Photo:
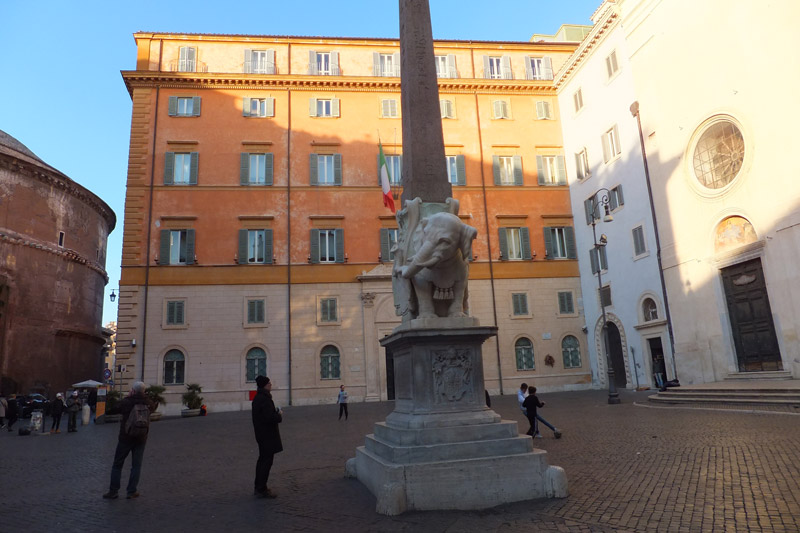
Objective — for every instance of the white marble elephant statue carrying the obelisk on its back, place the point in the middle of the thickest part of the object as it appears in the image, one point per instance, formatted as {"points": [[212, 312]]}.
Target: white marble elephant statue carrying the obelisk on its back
{"points": [[434, 259]]}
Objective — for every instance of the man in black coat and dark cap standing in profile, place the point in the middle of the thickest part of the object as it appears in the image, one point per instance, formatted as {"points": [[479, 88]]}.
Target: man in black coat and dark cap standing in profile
{"points": [[266, 418]]}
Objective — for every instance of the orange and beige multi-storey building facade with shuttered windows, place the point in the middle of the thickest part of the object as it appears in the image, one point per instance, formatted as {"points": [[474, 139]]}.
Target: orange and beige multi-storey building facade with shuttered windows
{"points": [[255, 235]]}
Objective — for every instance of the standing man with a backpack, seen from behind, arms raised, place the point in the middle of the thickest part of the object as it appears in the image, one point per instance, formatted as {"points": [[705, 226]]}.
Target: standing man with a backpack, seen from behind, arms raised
{"points": [[133, 429]]}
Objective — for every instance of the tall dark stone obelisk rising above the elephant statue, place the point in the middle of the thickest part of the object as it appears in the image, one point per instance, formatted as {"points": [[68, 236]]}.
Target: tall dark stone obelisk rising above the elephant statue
{"points": [[424, 167]]}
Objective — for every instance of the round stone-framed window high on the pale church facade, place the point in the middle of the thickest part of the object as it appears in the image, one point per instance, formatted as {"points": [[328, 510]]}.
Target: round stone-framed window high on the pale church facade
{"points": [[718, 154]]}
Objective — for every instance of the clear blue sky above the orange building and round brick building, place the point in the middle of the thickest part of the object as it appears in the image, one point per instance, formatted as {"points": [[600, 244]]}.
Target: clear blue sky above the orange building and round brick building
{"points": [[61, 93]]}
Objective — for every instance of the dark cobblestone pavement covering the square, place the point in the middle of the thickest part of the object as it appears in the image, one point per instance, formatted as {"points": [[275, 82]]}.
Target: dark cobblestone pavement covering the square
{"points": [[629, 469]]}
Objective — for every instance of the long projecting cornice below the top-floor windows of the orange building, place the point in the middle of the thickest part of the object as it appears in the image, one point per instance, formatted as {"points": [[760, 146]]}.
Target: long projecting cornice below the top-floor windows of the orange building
{"points": [[197, 80]]}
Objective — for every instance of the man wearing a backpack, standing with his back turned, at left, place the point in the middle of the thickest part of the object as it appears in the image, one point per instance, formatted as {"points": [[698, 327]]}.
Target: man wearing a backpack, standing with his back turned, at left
{"points": [[128, 444]]}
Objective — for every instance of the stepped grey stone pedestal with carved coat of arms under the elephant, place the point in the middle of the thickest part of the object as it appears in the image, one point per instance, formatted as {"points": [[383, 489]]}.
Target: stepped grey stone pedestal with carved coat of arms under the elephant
{"points": [[442, 448]]}
